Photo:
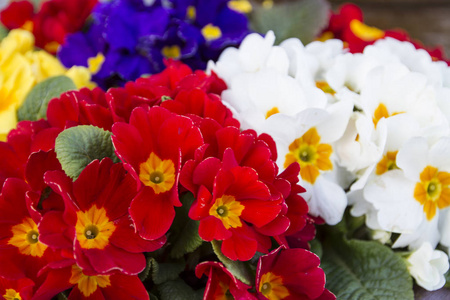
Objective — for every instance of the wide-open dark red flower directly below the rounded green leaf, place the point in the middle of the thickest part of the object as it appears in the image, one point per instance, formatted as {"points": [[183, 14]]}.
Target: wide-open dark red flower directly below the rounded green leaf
{"points": [[96, 219]]}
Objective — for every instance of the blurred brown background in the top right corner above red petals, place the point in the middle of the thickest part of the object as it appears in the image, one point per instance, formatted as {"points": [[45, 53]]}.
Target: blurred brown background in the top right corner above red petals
{"points": [[425, 20]]}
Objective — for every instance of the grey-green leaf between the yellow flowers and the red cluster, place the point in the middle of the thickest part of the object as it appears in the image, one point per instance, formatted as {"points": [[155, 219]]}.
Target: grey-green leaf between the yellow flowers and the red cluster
{"points": [[35, 105]]}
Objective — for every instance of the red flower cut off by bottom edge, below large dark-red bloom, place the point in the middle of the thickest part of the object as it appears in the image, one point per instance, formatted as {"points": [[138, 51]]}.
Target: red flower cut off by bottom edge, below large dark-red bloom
{"points": [[90, 285]]}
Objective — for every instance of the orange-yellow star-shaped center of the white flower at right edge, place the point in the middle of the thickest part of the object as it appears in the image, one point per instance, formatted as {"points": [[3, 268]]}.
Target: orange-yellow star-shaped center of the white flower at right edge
{"points": [[433, 190]]}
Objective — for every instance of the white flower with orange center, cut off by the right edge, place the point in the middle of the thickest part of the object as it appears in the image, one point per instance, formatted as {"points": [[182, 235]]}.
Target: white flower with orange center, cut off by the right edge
{"points": [[414, 199]]}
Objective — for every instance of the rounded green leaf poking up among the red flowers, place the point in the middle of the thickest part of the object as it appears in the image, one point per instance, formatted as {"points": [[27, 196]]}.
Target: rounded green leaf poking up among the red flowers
{"points": [[77, 146]]}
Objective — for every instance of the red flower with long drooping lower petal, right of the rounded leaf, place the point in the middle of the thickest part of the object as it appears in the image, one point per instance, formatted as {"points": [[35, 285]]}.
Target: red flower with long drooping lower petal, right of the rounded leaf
{"points": [[155, 144]]}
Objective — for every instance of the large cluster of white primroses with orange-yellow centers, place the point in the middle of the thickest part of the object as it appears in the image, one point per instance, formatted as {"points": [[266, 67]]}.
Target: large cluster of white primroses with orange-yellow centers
{"points": [[368, 129]]}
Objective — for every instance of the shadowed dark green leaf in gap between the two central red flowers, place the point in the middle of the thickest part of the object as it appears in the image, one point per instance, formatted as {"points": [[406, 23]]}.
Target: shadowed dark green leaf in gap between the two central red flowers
{"points": [[184, 236]]}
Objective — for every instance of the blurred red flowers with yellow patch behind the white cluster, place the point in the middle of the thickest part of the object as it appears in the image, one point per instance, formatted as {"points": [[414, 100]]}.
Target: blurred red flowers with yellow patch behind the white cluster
{"points": [[348, 25]]}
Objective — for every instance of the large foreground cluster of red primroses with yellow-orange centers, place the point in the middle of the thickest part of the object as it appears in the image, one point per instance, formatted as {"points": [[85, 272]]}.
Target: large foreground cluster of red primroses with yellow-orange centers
{"points": [[173, 136]]}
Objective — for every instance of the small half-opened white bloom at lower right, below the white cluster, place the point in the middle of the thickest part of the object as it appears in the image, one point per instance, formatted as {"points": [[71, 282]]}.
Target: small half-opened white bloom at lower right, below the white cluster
{"points": [[428, 266]]}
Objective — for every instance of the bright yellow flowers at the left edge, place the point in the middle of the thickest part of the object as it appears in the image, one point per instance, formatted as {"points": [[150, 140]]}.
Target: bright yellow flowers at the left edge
{"points": [[21, 67]]}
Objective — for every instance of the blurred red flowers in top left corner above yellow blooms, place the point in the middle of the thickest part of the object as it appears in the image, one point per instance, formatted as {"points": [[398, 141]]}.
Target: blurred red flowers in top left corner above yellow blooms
{"points": [[51, 23]]}
